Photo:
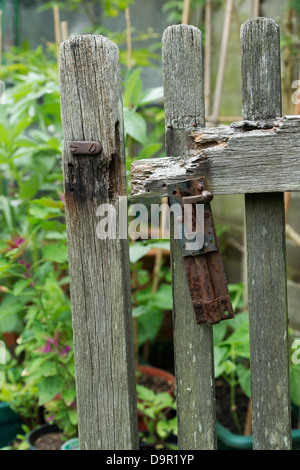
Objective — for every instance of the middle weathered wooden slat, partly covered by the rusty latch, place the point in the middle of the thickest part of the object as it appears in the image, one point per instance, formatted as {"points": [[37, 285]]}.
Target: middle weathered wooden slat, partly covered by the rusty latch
{"points": [[193, 344]]}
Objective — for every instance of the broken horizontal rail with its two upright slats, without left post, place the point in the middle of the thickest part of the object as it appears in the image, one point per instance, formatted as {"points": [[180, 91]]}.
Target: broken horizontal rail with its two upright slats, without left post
{"points": [[255, 156]]}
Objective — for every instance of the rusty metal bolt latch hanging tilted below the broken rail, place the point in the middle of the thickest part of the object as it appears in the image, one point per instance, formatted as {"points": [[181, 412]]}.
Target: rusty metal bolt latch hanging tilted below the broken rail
{"points": [[202, 261]]}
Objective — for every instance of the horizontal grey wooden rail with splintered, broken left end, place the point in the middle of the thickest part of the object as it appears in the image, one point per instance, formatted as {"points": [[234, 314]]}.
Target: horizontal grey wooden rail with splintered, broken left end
{"points": [[246, 157]]}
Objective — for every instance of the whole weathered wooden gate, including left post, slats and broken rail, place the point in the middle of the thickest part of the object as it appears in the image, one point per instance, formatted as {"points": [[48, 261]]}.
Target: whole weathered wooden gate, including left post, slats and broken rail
{"points": [[257, 157]]}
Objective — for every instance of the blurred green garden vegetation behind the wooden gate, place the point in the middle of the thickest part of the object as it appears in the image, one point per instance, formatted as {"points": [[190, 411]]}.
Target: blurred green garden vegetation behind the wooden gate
{"points": [[35, 310]]}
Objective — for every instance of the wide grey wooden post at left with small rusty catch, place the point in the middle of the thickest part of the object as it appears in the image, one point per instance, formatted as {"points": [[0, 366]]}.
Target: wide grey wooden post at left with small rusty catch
{"points": [[91, 104]]}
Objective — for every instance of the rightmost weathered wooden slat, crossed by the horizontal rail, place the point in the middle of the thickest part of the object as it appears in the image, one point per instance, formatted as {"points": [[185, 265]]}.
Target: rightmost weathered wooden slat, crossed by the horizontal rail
{"points": [[265, 229]]}
